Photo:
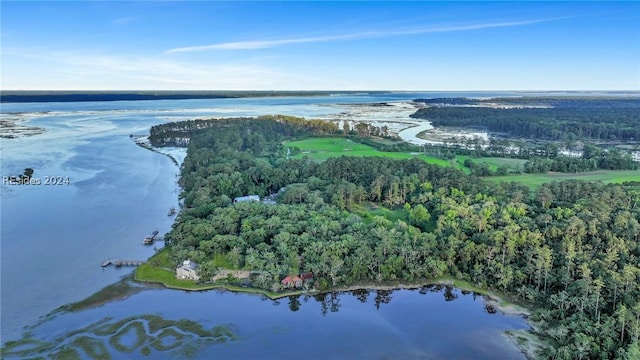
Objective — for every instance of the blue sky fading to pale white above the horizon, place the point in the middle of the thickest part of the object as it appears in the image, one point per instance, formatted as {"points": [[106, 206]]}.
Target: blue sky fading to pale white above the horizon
{"points": [[202, 45]]}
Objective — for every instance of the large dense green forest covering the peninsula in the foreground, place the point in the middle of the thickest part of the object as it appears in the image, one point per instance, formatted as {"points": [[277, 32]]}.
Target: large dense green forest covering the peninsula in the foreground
{"points": [[571, 249]]}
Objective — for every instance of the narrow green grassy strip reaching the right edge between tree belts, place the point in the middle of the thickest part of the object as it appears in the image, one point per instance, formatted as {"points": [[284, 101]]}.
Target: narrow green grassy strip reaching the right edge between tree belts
{"points": [[606, 176]]}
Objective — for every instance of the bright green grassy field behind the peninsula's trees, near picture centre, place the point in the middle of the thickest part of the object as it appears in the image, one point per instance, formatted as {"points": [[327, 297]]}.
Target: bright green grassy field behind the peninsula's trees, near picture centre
{"points": [[320, 149]]}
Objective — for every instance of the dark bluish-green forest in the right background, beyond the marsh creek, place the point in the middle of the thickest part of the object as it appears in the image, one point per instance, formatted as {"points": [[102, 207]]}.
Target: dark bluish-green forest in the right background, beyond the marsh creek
{"points": [[556, 119]]}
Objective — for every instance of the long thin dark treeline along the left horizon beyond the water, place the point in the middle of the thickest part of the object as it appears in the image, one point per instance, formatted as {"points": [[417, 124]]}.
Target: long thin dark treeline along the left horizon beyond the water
{"points": [[67, 96]]}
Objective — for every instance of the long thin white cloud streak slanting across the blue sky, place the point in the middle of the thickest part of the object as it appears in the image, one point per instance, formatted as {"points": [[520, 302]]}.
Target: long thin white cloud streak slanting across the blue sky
{"points": [[261, 44]]}
